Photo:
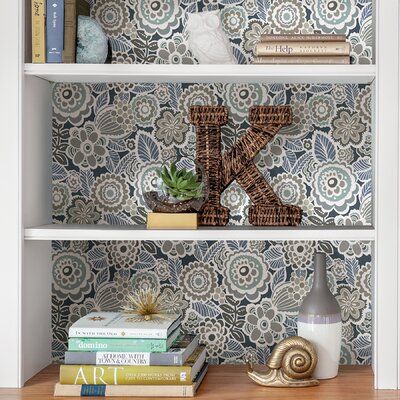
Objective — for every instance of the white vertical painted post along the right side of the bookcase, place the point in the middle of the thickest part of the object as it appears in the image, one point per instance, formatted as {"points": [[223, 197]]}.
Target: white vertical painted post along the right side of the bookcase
{"points": [[386, 325]]}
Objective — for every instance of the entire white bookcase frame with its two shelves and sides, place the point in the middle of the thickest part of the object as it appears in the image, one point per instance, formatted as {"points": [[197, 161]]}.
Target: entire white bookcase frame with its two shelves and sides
{"points": [[25, 245]]}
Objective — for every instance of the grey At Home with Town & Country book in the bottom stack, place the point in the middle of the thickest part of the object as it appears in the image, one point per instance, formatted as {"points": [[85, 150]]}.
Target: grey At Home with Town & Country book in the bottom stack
{"points": [[177, 355]]}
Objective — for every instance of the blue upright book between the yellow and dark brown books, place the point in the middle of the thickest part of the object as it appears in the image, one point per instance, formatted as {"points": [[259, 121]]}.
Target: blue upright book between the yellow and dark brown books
{"points": [[55, 30]]}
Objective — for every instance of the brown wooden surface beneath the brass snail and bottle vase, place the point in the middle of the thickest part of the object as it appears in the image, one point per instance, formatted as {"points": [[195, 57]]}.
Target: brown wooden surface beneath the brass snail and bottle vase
{"points": [[231, 383]]}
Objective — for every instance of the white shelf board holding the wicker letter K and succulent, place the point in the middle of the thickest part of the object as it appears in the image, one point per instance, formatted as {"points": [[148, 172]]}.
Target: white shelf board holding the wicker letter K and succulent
{"points": [[107, 232]]}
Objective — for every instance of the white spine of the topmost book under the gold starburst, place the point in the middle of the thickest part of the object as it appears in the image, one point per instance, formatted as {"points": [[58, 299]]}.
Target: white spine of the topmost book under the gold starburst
{"points": [[104, 332]]}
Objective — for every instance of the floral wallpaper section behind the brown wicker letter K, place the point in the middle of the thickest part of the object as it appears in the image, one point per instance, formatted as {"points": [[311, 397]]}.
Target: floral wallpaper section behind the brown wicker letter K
{"points": [[109, 139]]}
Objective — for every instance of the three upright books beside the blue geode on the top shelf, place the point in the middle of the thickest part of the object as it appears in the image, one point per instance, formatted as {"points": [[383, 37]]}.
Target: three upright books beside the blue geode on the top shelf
{"points": [[54, 28]]}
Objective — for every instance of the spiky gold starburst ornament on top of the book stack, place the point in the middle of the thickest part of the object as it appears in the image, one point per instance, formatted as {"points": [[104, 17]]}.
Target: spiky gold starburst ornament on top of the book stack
{"points": [[146, 305]]}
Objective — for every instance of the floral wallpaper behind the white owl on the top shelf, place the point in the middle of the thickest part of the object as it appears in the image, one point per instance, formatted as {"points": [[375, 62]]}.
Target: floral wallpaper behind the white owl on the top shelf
{"points": [[154, 31]]}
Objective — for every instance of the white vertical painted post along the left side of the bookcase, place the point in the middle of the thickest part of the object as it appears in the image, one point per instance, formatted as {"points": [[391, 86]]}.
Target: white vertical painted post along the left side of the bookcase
{"points": [[11, 230]]}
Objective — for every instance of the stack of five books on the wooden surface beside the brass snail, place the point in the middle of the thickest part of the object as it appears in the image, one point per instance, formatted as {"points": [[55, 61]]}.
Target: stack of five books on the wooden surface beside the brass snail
{"points": [[116, 354]]}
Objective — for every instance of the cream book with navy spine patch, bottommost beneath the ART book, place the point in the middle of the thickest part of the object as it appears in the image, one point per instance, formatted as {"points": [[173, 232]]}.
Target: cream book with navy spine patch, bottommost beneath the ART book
{"points": [[133, 390]]}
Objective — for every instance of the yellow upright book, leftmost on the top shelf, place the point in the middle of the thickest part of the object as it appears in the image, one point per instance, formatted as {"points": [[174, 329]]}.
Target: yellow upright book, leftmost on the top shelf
{"points": [[38, 31]]}
